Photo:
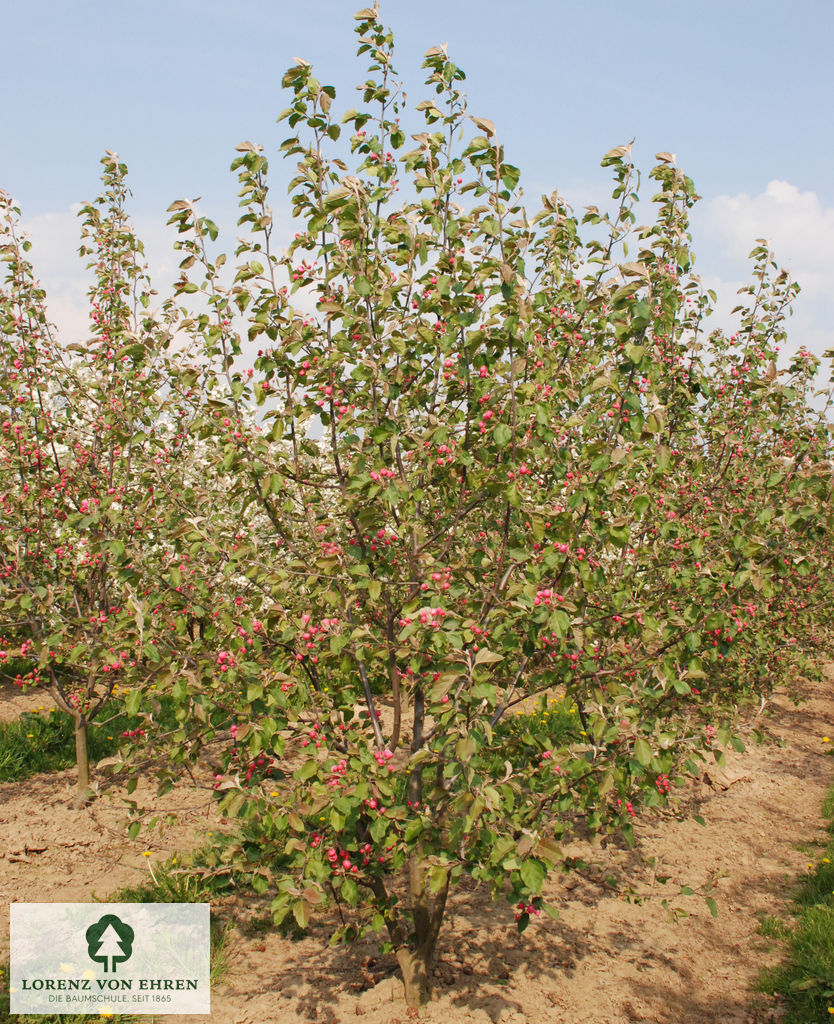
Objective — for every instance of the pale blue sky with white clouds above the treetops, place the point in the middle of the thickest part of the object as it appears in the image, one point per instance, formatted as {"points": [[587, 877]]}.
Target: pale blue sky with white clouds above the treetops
{"points": [[741, 92]]}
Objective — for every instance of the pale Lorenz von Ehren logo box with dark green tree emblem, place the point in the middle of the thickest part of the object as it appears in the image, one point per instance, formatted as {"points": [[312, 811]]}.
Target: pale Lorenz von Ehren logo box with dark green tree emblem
{"points": [[133, 958]]}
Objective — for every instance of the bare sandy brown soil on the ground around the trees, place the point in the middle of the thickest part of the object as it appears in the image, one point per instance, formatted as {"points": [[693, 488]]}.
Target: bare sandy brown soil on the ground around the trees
{"points": [[606, 961]]}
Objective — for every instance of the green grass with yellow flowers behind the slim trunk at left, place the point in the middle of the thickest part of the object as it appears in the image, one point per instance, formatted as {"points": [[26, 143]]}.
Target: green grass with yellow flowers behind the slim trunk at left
{"points": [[44, 742]]}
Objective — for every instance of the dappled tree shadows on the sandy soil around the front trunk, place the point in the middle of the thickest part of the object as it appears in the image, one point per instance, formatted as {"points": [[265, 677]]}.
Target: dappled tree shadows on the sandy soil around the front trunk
{"points": [[481, 952]]}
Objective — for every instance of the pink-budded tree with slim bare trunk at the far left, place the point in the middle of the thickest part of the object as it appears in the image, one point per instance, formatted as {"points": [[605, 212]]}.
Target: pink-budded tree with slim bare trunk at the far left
{"points": [[81, 425]]}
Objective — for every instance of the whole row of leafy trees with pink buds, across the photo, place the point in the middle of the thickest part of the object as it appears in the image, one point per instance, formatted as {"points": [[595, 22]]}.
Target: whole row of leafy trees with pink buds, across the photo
{"points": [[350, 505]]}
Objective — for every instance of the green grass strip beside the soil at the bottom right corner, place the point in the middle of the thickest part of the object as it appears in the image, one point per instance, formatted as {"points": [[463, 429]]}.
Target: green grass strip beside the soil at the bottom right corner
{"points": [[806, 979]]}
